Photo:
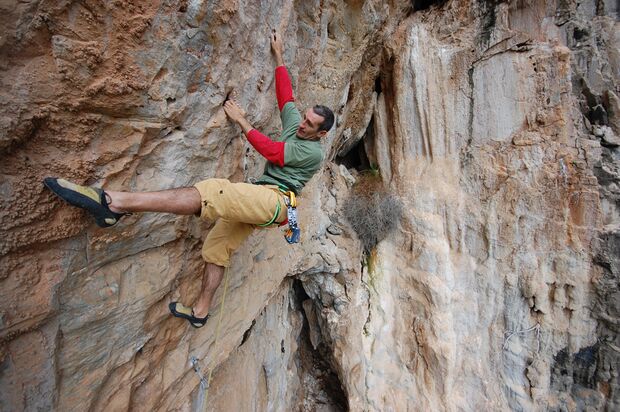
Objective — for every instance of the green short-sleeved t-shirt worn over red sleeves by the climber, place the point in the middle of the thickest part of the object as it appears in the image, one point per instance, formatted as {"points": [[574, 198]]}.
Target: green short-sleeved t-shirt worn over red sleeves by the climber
{"points": [[302, 158]]}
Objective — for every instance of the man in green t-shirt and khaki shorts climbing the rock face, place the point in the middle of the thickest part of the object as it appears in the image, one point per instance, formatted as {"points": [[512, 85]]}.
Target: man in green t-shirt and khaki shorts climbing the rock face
{"points": [[238, 208]]}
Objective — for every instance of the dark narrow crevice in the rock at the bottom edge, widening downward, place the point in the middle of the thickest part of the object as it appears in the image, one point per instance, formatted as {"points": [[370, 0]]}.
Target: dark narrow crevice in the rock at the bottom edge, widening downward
{"points": [[320, 383]]}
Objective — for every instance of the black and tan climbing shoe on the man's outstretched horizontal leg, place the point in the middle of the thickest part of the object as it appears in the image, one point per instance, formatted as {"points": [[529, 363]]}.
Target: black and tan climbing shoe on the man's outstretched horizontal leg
{"points": [[91, 199]]}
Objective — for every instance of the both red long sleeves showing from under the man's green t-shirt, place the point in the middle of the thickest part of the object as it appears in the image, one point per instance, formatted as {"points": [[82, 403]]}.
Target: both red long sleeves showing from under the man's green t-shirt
{"points": [[270, 150]]}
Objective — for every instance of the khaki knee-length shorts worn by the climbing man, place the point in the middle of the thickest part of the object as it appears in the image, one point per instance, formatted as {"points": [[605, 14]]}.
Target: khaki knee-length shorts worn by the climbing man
{"points": [[238, 208]]}
